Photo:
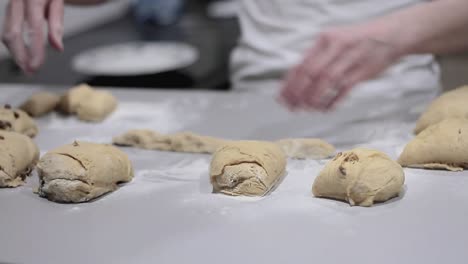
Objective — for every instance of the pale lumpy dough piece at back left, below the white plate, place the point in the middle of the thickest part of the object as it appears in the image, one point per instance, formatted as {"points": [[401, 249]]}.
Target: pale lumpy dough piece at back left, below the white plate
{"points": [[88, 104]]}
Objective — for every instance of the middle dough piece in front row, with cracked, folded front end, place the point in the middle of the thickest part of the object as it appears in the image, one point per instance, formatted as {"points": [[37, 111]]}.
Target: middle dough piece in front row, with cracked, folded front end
{"points": [[248, 168]]}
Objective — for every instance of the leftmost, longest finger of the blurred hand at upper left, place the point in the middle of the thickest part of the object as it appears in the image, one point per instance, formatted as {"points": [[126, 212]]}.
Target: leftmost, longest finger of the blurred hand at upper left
{"points": [[13, 33]]}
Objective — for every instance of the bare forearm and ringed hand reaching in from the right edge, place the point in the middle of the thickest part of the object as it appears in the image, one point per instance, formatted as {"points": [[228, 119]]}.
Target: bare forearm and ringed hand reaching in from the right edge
{"points": [[342, 57]]}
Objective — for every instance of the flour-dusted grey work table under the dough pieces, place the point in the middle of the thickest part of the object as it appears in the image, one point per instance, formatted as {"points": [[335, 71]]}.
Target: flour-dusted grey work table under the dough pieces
{"points": [[168, 214]]}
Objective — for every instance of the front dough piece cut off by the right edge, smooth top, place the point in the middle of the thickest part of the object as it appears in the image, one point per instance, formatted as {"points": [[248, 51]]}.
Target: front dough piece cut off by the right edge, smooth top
{"points": [[440, 146]]}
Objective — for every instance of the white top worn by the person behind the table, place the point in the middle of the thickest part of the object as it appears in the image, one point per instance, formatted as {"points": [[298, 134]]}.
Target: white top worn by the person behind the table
{"points": [[277, 33]]}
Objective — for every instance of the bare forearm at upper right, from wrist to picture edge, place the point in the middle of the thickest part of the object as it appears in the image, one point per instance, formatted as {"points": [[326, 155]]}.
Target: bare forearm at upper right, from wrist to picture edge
{"points": [[436, 27]]}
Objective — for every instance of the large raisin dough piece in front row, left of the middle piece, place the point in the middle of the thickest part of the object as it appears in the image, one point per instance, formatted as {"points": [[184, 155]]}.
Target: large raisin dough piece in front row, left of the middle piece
{"points": [[82, 171]]}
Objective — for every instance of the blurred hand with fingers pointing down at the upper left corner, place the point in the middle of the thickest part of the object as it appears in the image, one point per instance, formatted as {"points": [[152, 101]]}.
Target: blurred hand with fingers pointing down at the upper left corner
{"points": [[31, 16]]}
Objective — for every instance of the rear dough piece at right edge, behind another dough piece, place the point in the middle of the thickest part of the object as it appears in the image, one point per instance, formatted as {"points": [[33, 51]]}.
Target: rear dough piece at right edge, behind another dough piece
{"points": [[452, 104]]}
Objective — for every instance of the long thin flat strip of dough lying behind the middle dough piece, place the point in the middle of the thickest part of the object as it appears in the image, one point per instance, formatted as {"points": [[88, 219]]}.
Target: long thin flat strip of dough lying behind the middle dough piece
{"points": [[300, 148]]}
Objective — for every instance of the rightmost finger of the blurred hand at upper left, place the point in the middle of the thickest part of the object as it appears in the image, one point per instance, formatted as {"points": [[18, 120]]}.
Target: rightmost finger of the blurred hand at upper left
{"points": [[55, 20]]}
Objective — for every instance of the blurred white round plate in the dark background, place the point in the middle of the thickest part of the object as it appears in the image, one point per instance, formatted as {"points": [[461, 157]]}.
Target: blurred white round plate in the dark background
{"points": [[135, 58]]}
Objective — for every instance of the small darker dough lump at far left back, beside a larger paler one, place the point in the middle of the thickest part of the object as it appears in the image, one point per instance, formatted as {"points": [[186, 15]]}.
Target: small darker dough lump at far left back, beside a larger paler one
{"points": [[40, 103]]}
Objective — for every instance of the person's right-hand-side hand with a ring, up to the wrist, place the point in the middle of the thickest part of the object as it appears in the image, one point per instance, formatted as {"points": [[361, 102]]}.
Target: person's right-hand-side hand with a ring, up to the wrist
{"points": [[340, 59]]}
